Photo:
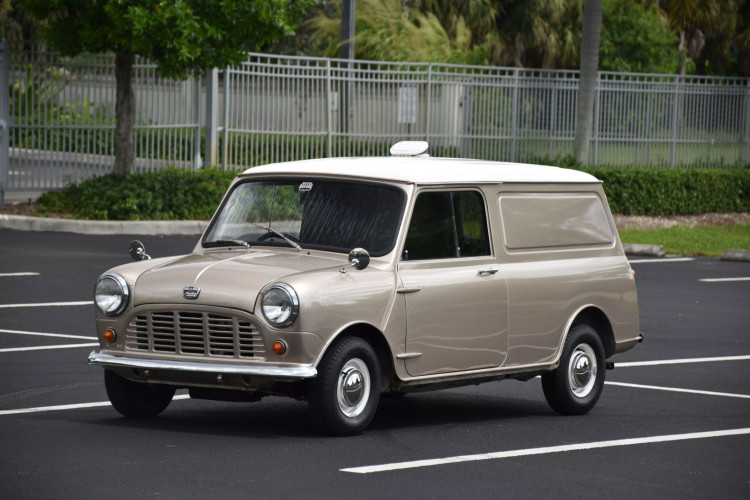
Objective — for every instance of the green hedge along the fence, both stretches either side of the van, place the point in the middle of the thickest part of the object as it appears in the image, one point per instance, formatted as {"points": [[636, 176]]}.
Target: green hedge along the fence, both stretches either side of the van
{"points": [[179, 194]]}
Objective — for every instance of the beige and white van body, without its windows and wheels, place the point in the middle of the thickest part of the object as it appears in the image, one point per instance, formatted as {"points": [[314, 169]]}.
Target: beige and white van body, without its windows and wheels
{"points": [[551, 259]]}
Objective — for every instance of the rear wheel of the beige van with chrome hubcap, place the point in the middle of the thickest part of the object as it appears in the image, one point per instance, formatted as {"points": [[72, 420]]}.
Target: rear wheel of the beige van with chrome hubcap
{"points": [[575, 386]]}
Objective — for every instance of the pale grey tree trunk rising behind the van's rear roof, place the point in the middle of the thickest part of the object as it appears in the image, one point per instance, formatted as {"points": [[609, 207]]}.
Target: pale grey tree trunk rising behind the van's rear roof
{"points": [[592, 27]]}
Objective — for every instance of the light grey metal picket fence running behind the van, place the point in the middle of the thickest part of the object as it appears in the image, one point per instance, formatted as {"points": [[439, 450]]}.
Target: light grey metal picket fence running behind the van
{"points": [[58, 115]]}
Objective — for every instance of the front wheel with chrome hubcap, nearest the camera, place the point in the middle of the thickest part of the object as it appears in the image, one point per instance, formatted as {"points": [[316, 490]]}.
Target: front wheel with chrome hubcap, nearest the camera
{"points": [[345, 394]]}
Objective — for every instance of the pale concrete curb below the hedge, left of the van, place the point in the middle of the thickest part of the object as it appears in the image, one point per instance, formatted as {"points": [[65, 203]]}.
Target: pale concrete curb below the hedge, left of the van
{"points": [[95, 227]]}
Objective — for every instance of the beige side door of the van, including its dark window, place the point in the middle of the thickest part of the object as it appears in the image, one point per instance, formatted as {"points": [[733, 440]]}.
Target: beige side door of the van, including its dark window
{"points": [[456, 298]]}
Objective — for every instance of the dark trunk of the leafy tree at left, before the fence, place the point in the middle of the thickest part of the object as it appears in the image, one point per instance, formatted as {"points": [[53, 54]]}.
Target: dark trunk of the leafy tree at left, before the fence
{"points": [[124, 113]]}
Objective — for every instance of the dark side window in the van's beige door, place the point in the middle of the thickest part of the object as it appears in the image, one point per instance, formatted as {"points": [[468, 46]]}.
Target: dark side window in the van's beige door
{"points": [[447, 224]]}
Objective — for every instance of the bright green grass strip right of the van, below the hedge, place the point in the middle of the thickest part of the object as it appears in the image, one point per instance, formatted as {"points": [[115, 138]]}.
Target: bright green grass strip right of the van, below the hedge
{"points": [[700, 240]]}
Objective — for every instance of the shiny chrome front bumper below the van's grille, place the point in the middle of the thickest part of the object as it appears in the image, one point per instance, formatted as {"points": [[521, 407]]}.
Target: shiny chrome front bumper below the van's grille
{"points": [[276, 372]]}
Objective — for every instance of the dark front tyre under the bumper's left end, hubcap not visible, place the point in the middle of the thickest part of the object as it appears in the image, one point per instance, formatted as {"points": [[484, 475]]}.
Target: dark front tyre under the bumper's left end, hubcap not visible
{"points": [[132, 399]]}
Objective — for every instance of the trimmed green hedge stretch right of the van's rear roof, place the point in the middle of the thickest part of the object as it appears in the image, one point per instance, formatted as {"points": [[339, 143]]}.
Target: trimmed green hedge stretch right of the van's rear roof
{"points": [[674, 191]]}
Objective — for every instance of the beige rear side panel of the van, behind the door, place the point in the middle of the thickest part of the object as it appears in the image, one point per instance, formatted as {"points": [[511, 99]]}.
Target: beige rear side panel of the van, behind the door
{"points": [[559, 250]]}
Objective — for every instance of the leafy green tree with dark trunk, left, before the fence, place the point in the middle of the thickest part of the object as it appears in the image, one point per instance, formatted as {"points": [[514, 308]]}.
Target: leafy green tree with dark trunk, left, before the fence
{"points": [[180, 36]]}
